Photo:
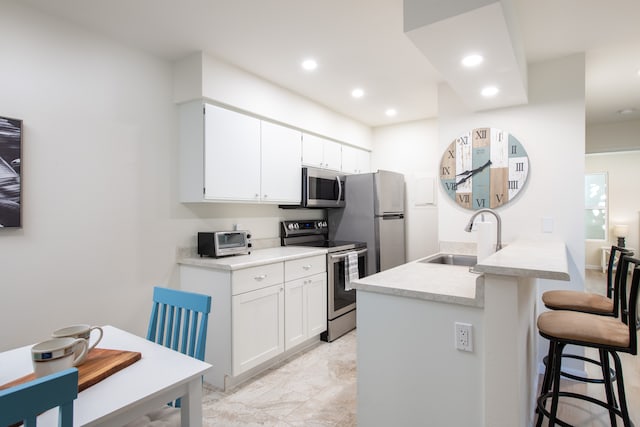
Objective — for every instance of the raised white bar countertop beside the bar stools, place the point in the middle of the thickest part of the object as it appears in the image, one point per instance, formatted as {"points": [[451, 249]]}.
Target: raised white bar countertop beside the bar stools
{"points": [[543, 259]]}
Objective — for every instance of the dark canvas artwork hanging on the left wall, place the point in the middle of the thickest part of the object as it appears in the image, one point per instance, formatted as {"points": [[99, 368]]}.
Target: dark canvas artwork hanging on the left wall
{"points": [[10, 186]]}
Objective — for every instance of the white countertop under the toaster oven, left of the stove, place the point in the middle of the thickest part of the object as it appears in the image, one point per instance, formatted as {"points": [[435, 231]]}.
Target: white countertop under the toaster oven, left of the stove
{"points": [[256, 258]]}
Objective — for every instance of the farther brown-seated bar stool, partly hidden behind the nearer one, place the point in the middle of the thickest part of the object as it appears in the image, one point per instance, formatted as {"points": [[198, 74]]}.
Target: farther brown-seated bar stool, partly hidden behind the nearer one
{"points": [[587, 302]]}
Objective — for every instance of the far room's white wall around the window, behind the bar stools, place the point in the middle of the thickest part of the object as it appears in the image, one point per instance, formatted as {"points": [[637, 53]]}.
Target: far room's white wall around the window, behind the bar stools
{"points": [[624, 204]]}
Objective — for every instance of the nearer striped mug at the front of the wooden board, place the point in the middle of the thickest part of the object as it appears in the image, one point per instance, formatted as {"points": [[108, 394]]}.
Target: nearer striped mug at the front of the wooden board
{"points": [[57, 355]]}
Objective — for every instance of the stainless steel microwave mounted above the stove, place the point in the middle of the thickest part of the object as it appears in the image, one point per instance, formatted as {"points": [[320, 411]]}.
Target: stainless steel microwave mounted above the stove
{"points": [[322, 188]]}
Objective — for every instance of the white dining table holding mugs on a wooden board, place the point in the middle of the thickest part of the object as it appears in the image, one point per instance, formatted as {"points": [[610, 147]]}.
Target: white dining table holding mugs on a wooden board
{"points": [[160, 376]]}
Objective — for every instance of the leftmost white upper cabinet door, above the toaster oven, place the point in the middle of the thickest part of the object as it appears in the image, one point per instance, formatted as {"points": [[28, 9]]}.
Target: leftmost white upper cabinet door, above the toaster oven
{"points": [[231, 155]]}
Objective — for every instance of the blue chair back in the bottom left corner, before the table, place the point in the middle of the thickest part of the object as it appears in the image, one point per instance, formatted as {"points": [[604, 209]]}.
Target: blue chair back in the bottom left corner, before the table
{"points": [[24, 402]]}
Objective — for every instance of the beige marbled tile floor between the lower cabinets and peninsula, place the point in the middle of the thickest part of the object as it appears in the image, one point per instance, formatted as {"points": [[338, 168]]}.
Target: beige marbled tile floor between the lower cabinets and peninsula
{"points": [[314, 389]]}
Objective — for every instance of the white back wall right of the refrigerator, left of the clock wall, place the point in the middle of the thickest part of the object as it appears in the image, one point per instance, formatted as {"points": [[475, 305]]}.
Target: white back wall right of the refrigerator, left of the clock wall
{"points": [[412, 149]]}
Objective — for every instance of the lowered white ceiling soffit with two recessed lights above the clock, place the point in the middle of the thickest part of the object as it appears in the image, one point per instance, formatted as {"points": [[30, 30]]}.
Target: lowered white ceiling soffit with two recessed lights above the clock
{"points": [[480, 27]]}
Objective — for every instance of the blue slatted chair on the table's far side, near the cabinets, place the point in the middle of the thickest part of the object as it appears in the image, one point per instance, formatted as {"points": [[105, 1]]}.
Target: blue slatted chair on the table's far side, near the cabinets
{"points": [[179, 320]]}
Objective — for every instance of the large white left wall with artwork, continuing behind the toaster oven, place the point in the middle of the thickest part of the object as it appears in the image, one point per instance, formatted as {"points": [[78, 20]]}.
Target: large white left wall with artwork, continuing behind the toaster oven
{"points": [[101, 221]]}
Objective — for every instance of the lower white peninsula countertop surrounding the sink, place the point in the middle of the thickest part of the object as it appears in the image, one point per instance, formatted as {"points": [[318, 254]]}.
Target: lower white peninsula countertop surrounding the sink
{"points": [[436, 282]]}
